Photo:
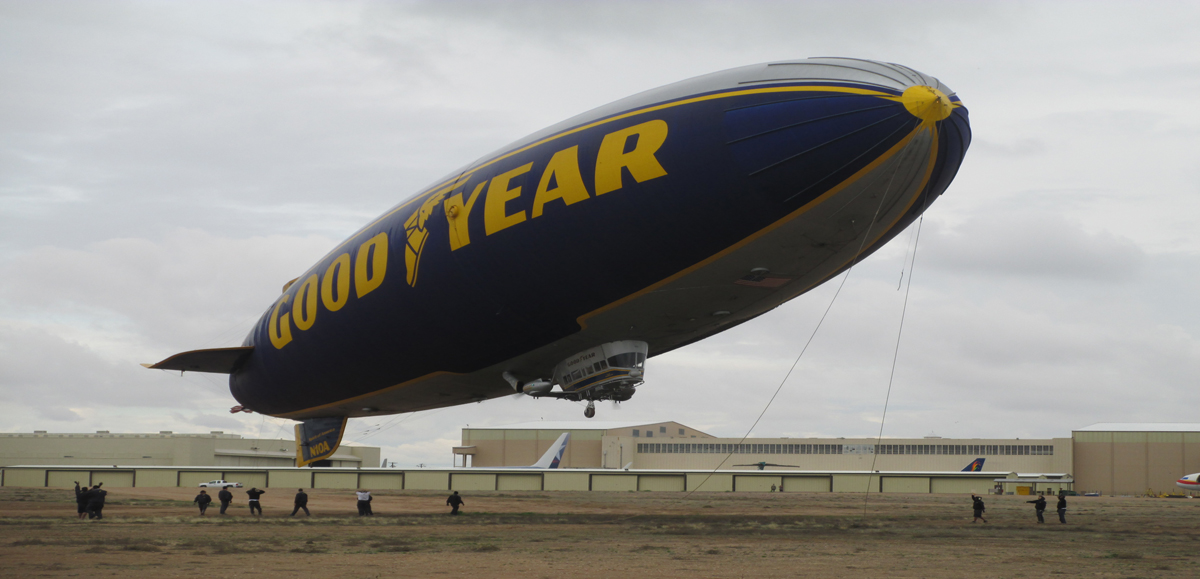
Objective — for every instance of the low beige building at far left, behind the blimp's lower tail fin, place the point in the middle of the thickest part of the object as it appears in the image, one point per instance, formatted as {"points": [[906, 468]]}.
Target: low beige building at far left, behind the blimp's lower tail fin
{"points": [[165, 449]]}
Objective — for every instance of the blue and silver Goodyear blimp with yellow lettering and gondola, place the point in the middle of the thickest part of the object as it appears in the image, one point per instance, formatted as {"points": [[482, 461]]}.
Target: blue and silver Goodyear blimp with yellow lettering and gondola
{"points": [[559, 265]]}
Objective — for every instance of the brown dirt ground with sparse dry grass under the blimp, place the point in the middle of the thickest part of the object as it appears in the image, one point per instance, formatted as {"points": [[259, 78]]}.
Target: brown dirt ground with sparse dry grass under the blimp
{"points": [[158, 533]]}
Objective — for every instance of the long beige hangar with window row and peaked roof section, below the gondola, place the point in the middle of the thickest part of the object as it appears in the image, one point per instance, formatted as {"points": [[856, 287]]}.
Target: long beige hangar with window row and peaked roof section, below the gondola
{"points": [[674, 446]]}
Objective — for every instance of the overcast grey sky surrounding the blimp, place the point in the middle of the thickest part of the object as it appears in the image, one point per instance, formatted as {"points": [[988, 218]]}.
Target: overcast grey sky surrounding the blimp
{"points": [[165, 168]]}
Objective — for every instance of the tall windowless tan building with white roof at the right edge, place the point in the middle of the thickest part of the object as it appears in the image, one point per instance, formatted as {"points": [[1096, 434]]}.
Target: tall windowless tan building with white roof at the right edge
{"points": [[1133, 459]]}
